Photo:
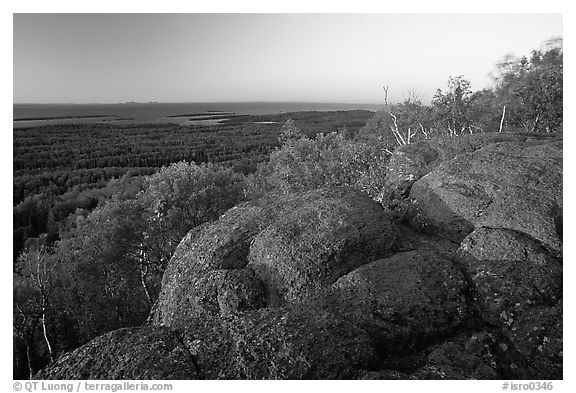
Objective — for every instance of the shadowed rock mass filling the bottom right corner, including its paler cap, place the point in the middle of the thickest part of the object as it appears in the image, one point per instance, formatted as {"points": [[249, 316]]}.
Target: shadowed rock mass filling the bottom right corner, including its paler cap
{"points": [[518, 285]]}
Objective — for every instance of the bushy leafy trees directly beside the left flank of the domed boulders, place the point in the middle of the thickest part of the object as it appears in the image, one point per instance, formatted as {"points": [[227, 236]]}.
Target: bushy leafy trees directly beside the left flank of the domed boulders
{"points": [[120, 249]]}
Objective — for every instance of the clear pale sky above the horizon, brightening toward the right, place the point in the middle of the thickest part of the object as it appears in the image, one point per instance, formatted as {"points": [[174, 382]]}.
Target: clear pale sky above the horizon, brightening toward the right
{"points": [[261, 57]]}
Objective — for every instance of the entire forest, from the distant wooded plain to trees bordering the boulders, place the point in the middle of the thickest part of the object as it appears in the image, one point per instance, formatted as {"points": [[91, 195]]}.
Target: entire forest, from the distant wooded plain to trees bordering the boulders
{"points": [[99, 210]]}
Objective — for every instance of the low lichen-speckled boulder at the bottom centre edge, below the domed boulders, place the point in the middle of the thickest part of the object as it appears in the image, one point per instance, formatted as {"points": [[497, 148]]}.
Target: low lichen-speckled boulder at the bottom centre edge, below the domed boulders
{"points": [[279, 344]]}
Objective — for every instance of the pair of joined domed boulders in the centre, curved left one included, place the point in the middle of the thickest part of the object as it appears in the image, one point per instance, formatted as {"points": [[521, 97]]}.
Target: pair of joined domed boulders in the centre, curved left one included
{"points": [[272, 251]]}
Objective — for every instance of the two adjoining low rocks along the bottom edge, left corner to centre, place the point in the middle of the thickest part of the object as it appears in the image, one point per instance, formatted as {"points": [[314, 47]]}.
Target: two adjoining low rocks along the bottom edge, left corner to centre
{"points": [[264, 344]]}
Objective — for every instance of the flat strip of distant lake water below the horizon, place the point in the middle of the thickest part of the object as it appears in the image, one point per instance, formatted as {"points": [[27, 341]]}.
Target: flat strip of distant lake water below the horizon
{"points": [[27, 115]]}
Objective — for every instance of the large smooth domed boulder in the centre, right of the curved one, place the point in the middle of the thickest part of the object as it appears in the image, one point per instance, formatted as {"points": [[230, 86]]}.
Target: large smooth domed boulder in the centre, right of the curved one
{"points": [[304, 251]]}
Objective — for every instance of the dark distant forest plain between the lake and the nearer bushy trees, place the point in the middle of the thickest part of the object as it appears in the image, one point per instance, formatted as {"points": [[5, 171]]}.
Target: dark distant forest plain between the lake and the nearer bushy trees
{"points": [[53, 179]]}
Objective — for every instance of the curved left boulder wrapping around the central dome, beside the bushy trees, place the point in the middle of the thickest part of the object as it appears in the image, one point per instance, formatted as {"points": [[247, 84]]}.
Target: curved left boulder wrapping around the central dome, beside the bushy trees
{"points": [[200, 278]]}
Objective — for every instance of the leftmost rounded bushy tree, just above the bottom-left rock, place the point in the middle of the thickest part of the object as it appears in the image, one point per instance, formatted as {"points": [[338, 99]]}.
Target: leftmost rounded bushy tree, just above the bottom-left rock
{"points": [[101, 269]]}
